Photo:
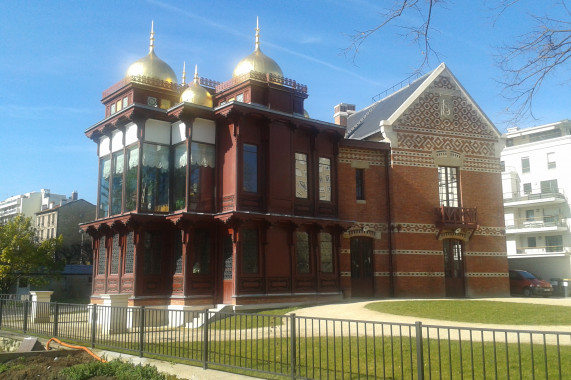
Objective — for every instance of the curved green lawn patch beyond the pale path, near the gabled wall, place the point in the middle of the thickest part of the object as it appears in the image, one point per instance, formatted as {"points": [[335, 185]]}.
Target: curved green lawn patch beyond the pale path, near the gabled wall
{"points": [[508, 313]]}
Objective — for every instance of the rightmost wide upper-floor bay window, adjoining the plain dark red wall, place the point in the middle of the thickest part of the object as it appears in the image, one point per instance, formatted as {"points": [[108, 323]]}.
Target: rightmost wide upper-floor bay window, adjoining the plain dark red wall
{"points": [[202, 164]]}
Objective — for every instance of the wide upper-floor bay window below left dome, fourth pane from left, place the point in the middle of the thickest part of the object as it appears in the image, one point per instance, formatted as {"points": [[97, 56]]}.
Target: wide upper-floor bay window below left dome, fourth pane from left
{"points": [[155, 178]]}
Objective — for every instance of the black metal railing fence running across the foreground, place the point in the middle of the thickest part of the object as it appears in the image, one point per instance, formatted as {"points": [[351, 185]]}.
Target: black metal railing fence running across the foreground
{"points": [[300, 347]]}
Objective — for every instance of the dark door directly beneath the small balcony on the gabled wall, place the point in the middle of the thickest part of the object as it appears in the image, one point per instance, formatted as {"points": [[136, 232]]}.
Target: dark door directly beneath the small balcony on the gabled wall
{"points": [[454, 268]]}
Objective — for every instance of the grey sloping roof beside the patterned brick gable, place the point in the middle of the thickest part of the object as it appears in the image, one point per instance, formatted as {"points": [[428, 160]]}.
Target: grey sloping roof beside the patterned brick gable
{"points": [[366, 121]]}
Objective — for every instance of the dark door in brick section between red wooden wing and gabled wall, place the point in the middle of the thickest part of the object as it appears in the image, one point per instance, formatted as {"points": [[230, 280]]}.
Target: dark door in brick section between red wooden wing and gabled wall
{"points": [[361, 267]]}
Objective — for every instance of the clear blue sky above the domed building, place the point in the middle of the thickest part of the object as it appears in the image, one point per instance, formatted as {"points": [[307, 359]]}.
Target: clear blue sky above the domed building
{"points": [[59, 56]]}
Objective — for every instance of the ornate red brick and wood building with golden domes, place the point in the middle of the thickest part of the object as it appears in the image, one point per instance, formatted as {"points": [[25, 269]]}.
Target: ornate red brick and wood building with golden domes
{"points": [[228, 193]]}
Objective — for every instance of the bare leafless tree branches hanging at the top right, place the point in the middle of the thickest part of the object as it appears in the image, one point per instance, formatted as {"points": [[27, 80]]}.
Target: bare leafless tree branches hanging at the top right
{"points": [[525, 62]]}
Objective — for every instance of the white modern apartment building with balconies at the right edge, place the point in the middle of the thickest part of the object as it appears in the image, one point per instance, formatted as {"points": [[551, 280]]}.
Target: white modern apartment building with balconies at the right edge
{"points": [[536, 163]]}
